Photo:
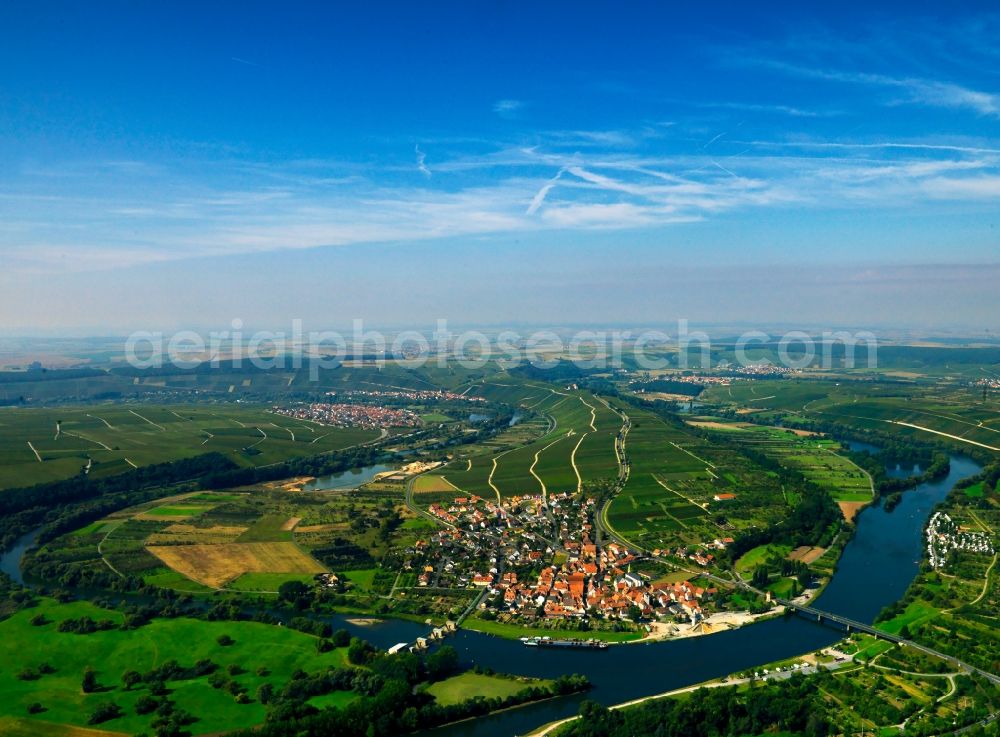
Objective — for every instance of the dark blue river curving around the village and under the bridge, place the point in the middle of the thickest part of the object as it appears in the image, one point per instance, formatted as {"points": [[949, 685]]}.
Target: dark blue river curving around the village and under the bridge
{"points": [[875, 569]]}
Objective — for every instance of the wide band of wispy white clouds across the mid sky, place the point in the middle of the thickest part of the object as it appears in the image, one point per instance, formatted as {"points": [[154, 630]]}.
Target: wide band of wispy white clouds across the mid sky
{"points": [[136, 214]]}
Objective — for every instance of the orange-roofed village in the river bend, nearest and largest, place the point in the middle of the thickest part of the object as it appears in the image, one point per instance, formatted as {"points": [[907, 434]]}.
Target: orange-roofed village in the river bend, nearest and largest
{"points": [[536, 559]]}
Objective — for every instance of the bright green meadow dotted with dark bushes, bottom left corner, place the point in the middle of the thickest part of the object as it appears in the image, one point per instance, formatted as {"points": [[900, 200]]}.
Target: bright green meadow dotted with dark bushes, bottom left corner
{"points": [[279, 650]]}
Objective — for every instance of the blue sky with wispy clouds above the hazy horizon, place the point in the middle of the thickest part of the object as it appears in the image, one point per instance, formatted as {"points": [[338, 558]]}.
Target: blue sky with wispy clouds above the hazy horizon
{"points": [[172, 165]]}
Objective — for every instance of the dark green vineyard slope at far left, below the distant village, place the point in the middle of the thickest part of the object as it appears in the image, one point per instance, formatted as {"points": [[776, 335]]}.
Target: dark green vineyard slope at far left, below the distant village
{"points": [[116, 438]]}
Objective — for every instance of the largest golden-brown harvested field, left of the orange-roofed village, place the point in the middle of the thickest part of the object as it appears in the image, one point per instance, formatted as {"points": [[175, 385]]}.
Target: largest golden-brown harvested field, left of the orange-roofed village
{"points": [[214, 565]]}
